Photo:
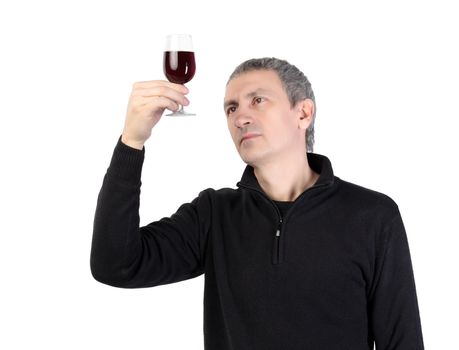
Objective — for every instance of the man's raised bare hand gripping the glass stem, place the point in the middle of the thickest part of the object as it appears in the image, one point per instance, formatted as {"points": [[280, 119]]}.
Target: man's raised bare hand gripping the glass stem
{"points": [[146, 105]]}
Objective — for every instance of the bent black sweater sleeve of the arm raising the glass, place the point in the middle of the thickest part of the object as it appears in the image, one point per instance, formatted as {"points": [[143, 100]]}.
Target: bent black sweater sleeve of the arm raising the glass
{"points": [[126, 255]]}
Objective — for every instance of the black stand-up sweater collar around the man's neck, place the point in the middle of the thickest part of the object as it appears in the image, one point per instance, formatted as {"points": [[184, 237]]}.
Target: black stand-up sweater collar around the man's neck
{"points": [[319, 163]]}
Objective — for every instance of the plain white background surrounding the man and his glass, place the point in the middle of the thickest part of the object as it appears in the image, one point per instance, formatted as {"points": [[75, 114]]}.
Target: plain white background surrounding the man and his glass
{"points": [[385, 77]]}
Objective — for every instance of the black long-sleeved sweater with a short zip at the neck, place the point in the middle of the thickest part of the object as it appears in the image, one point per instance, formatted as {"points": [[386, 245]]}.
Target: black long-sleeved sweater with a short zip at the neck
{"points": [[334, 273]]}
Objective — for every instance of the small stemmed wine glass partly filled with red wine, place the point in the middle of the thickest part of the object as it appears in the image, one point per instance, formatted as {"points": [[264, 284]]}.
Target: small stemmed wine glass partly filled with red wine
{"points": [[179, 64]]}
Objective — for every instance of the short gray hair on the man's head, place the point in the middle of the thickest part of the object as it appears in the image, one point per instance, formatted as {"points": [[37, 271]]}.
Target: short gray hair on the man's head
{"points": [[295, 83]]}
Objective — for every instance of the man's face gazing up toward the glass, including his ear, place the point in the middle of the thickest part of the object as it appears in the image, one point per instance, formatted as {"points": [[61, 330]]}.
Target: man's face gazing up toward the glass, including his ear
{"points": [[263, 126]]}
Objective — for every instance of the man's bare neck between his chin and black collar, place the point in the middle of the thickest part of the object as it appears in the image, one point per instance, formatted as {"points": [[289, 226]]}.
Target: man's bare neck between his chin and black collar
{"points": [[287, 179]]}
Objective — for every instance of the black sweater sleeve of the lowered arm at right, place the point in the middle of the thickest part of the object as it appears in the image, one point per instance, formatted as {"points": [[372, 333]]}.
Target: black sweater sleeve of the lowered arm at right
{"points": [[393, 306]]}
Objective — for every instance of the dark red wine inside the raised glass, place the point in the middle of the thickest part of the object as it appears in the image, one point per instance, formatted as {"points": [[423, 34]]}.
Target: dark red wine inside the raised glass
{"points": [[179, 66]]}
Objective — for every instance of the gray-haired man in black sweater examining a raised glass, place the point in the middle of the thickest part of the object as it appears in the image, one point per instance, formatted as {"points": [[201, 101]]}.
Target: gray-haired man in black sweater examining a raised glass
{"points": [[294, 258]]}
